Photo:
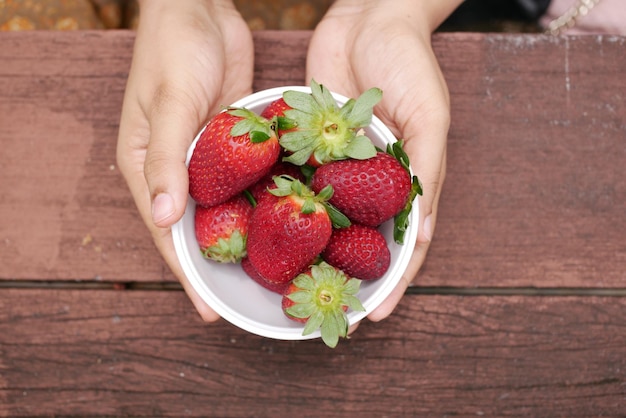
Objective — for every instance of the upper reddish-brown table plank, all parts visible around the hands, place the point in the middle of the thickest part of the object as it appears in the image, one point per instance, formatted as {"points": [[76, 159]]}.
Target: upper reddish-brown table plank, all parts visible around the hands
{"points": [[534, 195]]}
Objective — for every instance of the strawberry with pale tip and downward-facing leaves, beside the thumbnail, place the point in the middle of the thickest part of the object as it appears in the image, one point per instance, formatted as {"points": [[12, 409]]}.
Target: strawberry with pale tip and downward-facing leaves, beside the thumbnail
{"points": [[221, 230]]}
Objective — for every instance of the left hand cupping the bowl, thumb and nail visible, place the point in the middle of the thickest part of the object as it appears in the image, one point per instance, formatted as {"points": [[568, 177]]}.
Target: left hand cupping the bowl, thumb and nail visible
{"points": [[191, 57]]}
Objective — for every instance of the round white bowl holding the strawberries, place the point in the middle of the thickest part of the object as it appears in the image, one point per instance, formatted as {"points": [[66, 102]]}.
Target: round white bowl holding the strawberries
{"points": [[238, 299]]}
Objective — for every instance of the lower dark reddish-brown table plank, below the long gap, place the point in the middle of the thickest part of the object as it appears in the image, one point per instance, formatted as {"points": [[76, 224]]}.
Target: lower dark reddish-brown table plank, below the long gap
{"points": [[146, 353]]}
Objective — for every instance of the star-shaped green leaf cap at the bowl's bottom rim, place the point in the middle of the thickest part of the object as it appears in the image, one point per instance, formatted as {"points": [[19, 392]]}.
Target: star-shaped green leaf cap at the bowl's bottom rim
{"points": [[323, 293]]}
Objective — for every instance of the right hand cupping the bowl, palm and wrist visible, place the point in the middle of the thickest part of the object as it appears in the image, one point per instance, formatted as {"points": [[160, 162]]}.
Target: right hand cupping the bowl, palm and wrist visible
{"points": [[362, 44]]}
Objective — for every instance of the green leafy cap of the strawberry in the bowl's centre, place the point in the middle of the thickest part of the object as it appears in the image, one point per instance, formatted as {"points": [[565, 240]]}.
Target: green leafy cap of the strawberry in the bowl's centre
{"points": [[309, 201]]}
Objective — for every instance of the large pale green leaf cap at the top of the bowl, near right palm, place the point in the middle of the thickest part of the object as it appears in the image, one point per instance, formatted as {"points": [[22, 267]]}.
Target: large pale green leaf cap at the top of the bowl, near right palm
{"points": [[326, 131]]}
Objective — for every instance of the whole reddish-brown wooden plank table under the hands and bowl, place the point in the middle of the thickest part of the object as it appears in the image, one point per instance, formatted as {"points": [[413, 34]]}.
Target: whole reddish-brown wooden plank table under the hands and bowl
{"points": [[520, 308]]}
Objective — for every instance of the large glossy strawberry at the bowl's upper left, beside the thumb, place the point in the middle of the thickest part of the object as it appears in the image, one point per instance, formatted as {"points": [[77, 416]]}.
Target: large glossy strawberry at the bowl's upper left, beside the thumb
{"points": [[235, 150]]}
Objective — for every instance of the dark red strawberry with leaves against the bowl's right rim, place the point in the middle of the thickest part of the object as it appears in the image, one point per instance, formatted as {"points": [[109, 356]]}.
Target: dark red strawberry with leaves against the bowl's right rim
{"points": [[374, 190]]}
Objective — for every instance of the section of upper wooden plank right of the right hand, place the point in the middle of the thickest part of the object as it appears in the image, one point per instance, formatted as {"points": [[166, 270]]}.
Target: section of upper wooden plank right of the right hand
{"points": [[534, 194]]}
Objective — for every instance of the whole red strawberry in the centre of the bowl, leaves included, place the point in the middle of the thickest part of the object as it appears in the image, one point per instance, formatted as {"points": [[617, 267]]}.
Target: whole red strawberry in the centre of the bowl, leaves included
{"points": [[288, 230]]}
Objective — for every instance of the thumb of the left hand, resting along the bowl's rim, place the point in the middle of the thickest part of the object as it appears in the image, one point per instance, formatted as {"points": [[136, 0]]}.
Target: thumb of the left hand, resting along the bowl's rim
{"points": [[173, 125]]}
